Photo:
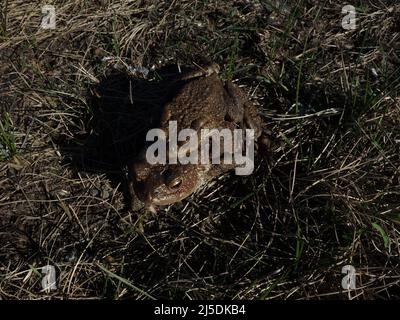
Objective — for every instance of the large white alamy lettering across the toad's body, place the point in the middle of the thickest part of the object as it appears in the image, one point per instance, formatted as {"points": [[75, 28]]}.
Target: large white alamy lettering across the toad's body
{"points": [[183, 147]]}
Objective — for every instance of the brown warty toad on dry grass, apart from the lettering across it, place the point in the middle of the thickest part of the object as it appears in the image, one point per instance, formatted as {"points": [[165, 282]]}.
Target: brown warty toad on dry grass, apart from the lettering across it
{"points": [[204, 101]]}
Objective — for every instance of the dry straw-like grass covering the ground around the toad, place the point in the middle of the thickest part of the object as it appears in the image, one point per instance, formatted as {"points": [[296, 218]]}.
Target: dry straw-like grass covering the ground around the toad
{"points": [[71, 107]]}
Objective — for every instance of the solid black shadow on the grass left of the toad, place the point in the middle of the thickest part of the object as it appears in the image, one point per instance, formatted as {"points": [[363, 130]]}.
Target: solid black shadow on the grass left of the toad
{"points": [[122, 110]]}
